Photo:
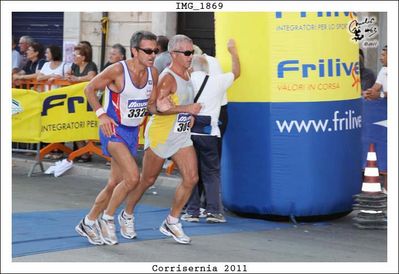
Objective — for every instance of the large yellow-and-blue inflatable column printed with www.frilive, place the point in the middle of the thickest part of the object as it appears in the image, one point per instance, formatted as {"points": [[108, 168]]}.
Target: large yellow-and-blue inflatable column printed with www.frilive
{"points": [[293, 143]]}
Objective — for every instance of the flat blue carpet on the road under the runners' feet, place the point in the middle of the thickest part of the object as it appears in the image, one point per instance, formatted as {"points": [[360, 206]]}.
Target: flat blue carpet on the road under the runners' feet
{"points": [[49, 231]]}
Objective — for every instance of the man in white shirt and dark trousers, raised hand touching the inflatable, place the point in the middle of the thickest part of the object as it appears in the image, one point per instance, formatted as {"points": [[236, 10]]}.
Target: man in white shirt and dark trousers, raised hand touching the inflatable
{"points": [[206, 132]]}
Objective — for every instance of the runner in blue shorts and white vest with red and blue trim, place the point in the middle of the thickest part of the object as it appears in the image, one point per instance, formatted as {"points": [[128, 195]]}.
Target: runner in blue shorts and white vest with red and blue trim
{"points": [[128, 89]]}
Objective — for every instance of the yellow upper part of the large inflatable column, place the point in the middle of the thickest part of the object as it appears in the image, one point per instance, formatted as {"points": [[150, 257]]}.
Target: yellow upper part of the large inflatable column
{"points": [[290, 56]]}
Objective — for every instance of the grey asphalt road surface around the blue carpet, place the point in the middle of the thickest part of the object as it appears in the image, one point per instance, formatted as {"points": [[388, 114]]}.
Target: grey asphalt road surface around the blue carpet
{"points": [[335, 241]]}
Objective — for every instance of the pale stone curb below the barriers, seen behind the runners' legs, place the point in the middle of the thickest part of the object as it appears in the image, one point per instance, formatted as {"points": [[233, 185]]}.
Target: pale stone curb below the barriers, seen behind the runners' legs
{"points": [[89, 170]]}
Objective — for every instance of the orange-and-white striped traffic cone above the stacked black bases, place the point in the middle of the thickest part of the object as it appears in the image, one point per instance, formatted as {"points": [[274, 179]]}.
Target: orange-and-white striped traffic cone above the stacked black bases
{"points": [[371, 182]]}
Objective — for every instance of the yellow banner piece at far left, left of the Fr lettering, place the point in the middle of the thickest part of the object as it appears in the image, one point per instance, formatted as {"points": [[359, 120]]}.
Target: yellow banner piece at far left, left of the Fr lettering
{"points": [[26, 107]]}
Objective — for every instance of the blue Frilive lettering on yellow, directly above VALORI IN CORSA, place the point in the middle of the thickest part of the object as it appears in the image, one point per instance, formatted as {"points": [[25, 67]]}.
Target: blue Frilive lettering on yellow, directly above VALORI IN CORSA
{"points": [[324, 68]]}
